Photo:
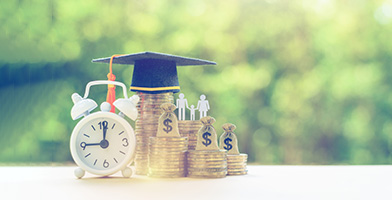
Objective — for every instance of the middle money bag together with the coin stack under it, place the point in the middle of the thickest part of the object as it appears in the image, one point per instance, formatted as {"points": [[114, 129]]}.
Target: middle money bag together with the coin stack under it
{"points": [[207, 160]]}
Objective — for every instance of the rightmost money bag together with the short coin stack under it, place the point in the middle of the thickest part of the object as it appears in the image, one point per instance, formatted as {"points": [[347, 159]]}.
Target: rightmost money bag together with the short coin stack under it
{"points": [[236, 162]]}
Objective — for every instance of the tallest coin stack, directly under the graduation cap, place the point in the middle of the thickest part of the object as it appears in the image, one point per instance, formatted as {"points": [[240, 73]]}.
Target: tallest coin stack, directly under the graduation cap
{"points": [[146, 125]]}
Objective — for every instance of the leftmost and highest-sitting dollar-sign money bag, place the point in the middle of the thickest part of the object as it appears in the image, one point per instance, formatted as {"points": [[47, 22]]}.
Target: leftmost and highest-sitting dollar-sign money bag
{"points": [[168, 124]]}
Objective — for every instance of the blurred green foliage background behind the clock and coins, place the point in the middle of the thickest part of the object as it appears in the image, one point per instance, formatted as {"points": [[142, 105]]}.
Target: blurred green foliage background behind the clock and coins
{"points": [[306, 82]]}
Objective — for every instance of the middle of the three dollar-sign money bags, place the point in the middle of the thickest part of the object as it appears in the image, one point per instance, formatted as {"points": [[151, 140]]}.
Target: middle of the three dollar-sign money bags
{"points": [[206, 137]]}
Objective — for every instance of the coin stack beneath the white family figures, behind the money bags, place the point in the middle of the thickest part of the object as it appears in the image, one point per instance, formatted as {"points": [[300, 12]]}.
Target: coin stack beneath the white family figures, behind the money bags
{"points": [[189, 128]]}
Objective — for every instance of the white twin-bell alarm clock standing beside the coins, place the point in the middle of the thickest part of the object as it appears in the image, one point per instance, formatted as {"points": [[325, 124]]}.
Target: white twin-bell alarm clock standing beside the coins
{"points": [[103, 143]]}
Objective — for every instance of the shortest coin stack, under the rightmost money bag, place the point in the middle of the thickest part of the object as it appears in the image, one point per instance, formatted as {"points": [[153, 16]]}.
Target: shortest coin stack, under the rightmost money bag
{"points": [[236, 164]]}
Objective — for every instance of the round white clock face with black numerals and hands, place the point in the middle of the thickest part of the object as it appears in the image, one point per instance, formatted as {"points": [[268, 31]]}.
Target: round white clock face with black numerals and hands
{"points": [[103, 143]]}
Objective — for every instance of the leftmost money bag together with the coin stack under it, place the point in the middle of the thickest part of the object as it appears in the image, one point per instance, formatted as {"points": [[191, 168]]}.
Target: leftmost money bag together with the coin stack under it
{"points": [[166, 151]]}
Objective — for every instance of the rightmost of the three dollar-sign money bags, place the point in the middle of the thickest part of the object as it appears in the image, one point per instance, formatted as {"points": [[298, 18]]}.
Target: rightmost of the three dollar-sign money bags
{"points": [[228, 139]]}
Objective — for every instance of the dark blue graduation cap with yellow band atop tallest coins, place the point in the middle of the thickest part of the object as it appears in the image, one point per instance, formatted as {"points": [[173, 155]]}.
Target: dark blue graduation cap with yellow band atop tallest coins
{"points": [[155, 72]]}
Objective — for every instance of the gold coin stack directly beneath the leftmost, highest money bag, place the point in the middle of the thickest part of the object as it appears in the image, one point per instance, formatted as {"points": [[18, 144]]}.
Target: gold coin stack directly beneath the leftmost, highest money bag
{"points": [[166, 157]]}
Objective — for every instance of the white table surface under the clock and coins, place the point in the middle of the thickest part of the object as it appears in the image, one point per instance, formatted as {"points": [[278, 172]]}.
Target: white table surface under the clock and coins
{"points": [[262, 182]]}
